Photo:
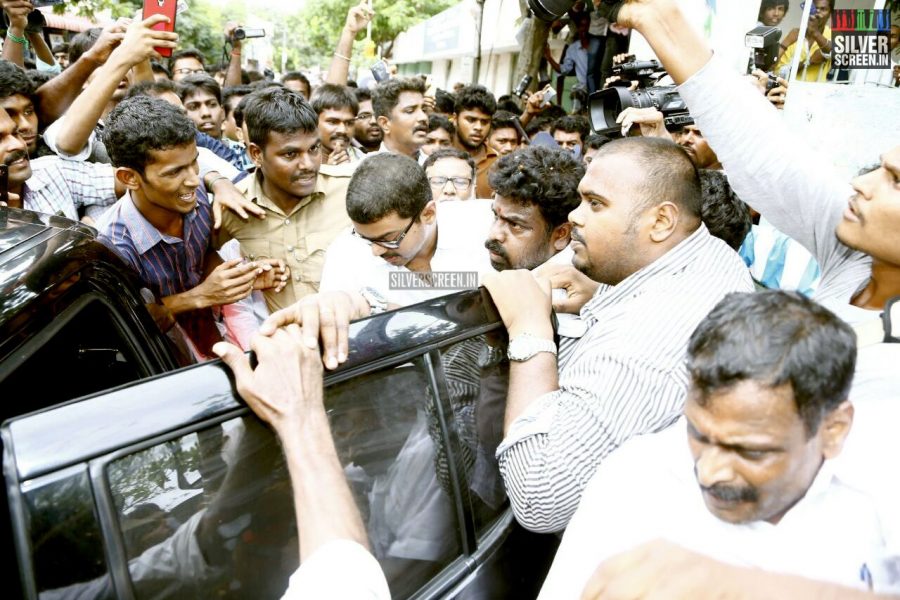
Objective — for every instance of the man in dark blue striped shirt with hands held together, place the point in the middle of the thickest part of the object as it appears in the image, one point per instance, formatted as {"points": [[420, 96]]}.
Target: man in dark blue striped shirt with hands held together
{"points": [[162, 226]]}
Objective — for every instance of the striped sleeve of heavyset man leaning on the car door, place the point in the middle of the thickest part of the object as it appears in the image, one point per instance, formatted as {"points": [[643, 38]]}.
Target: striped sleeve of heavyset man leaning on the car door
{"points": [[554, 448]]}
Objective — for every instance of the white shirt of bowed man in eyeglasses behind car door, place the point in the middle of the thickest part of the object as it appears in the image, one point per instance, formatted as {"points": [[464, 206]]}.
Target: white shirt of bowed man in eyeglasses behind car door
{"points": [[462, 228]]}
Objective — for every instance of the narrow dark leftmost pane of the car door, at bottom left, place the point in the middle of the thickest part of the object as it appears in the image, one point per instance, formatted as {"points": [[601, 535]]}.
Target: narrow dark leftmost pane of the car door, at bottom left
{"points": [[66, 545]]}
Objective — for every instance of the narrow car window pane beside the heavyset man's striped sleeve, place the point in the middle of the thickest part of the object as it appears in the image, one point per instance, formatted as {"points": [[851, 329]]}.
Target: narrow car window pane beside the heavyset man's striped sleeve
{"points": [[477, 378]]}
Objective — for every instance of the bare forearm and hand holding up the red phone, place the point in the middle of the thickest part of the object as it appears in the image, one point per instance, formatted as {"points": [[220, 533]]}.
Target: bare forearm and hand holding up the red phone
{"points": [[86, 110]]}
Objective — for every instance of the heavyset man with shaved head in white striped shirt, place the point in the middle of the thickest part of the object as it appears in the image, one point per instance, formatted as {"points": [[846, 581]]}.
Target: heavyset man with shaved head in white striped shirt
{"points": [[655, 272]]}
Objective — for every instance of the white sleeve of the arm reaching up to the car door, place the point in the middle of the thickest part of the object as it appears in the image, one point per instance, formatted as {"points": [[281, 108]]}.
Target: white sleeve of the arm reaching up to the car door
{"points": [[338, 570]]}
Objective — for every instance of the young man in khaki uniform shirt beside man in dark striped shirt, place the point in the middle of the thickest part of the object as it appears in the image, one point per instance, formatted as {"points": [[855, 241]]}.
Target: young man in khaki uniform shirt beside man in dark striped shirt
{"points": [[304, 200]]}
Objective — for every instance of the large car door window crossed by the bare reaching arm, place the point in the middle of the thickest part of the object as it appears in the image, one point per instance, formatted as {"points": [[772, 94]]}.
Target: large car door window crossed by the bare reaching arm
{"points": [[210, 513]]}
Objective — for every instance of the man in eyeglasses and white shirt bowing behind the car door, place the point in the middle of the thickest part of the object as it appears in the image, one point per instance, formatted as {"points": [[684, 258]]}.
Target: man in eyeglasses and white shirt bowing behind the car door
{"points": [[398, 229]]}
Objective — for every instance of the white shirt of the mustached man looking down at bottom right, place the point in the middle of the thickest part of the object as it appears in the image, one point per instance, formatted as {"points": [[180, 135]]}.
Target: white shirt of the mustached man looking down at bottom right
{"points": [[647, 490]]}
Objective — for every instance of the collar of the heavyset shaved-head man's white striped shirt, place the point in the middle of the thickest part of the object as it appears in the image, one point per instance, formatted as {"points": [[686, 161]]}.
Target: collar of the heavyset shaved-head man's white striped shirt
{"points": [[671, 263]]}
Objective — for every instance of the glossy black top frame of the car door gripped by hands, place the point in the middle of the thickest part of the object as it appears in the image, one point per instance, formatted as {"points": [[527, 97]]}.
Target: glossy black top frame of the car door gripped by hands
{"points": [[44, 442]]}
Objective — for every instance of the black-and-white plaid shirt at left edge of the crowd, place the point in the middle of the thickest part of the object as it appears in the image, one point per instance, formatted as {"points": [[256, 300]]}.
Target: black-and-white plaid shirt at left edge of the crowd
{"points": [[65, 187]]}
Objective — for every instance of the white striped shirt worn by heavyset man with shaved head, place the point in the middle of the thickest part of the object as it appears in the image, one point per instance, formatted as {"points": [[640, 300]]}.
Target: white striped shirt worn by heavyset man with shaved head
{"points": [[626, 376]]}
